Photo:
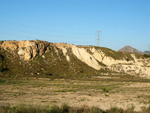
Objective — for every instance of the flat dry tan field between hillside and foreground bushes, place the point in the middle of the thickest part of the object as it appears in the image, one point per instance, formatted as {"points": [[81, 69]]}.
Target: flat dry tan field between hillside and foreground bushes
{"points": [[101, 91]]}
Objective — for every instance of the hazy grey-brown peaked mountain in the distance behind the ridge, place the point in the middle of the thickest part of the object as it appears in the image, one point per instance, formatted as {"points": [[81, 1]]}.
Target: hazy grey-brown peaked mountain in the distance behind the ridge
{"points": [[130, 50]]}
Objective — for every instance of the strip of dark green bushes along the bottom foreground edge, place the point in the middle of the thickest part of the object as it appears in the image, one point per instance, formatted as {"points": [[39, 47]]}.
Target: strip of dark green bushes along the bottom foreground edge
{"points": [[63, 109]]}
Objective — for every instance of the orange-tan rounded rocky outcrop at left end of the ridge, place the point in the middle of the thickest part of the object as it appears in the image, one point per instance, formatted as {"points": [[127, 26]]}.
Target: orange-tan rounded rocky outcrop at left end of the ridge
{"points": [[26, 49]]}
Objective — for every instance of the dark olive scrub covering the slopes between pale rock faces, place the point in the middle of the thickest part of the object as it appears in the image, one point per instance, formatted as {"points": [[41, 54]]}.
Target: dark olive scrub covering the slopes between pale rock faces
{"points": [[54, 63]]}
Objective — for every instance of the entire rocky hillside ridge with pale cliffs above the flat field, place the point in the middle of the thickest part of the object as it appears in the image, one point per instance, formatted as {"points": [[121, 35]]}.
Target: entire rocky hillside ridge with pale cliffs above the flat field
{"points": [[26, 58]]}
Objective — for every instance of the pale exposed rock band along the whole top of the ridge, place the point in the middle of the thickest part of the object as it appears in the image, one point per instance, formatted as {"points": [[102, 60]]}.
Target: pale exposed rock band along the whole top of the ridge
{"points": [[95, 57]]}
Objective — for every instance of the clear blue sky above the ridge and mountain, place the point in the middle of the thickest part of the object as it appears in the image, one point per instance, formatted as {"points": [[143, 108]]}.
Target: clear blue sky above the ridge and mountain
{"points": [[121, 22]]}
